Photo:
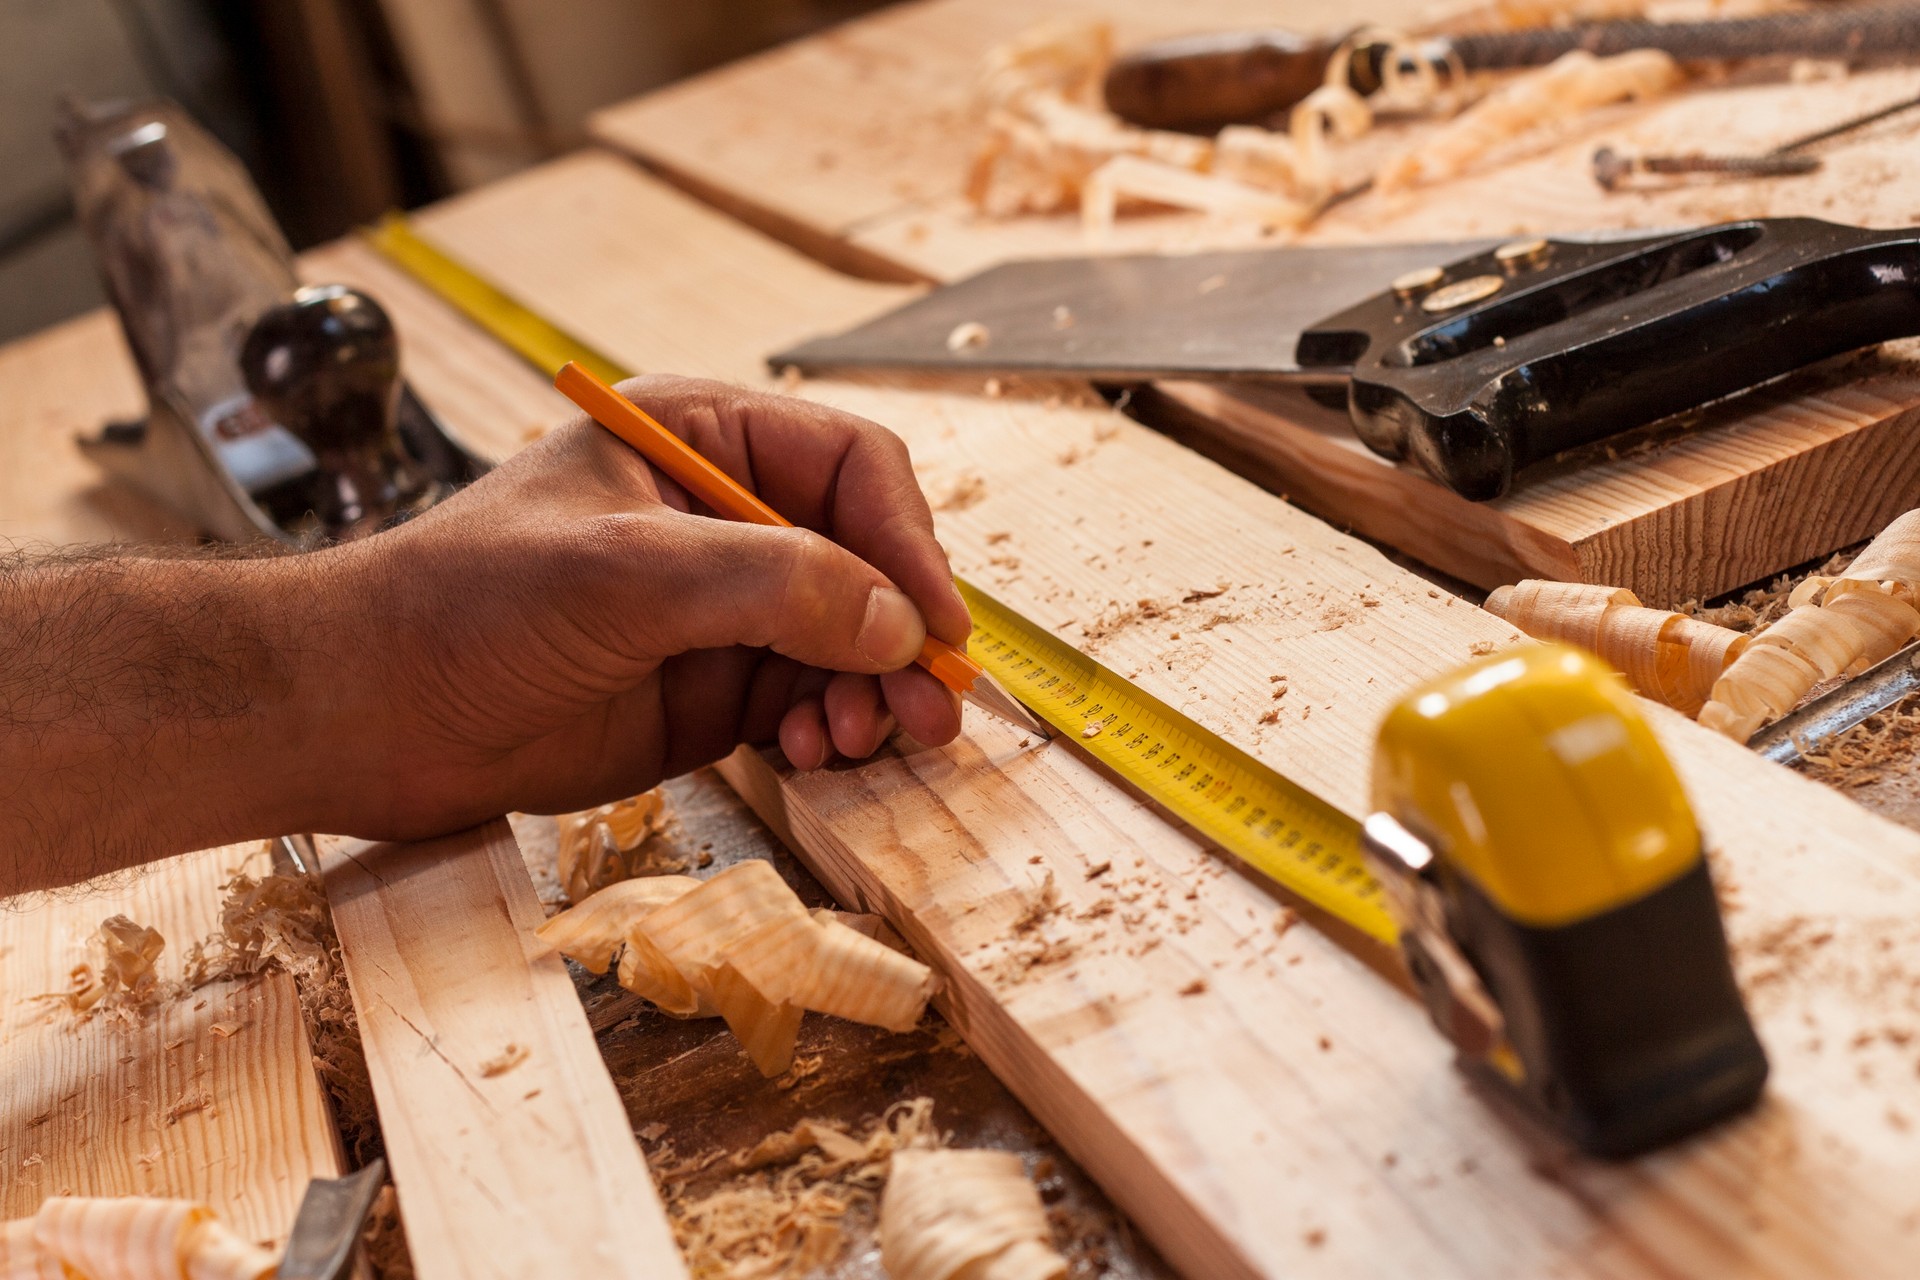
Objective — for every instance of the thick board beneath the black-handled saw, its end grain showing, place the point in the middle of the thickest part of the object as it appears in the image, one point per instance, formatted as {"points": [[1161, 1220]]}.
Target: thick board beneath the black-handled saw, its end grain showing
{"points": [[853, 147]]}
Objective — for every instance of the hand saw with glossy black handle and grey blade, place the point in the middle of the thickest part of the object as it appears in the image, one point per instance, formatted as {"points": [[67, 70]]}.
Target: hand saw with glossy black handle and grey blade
{"points": [[1466, 360]]}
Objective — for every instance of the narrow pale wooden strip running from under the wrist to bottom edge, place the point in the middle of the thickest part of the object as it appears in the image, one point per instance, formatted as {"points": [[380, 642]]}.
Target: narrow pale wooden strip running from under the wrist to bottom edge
{"points": [[510, 1147]]}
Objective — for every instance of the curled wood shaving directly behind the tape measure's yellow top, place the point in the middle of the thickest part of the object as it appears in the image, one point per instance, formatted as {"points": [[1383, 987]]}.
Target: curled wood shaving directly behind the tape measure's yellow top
{"points": [[1664, 655]]}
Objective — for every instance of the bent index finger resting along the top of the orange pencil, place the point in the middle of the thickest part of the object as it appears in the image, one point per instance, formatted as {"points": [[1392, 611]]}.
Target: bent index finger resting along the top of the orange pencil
{"points": [[827, 471]]}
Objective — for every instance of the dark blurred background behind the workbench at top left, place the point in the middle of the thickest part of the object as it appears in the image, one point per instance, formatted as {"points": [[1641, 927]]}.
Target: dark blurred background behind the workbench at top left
{"points": [[341, 108]]}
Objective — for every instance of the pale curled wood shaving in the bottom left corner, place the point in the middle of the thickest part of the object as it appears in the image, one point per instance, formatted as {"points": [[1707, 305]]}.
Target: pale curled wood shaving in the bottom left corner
{"points": [[128, 1239]]}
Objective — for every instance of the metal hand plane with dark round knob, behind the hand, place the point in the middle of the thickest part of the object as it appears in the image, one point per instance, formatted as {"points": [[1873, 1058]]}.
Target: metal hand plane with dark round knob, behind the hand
{"points": [[274, 410]]}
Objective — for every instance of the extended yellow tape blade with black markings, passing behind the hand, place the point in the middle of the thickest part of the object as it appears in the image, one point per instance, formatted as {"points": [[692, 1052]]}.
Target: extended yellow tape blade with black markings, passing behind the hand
{"points": [[1201, 778]]}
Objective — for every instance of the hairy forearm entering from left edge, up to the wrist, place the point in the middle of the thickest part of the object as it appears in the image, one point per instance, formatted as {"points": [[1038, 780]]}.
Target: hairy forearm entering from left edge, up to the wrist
{"points": [[158, 705]]}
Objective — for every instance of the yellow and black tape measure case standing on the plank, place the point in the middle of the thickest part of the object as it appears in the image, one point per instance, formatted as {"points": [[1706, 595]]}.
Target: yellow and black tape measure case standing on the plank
{"points": [[1556, 905]]}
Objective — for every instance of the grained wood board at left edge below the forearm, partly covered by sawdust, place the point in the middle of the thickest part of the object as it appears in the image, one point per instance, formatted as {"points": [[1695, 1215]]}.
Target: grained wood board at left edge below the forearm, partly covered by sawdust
{"points": [[164, 1104]]}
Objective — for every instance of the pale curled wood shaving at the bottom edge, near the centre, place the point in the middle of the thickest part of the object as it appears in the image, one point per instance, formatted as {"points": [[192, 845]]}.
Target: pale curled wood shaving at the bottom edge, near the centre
{"points": [[965, 1216]]}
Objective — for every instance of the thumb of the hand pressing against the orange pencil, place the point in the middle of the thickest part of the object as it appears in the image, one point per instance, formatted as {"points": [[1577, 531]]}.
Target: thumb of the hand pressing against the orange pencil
{"points": [[786, 590]]}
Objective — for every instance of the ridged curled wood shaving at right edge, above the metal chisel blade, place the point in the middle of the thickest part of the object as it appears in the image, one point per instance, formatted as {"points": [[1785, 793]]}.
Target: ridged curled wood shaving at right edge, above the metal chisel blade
{"points": [[1836, 627]]}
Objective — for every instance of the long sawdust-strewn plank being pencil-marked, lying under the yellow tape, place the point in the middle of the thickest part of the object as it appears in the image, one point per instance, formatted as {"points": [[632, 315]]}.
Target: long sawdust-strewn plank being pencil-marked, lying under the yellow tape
{"points": [[1295, 1114]]}
